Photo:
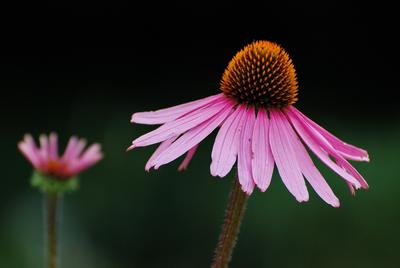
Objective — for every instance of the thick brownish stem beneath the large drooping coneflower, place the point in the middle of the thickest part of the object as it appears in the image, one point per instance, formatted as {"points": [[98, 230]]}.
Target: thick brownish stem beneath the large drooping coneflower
{"points": [[230, 230]]}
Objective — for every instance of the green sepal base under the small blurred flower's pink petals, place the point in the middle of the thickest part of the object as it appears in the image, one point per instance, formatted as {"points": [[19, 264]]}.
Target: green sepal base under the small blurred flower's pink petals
{"points": [[50, 184]]}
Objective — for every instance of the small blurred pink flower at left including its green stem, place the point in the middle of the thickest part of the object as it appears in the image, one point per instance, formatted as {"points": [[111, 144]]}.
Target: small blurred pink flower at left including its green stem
{"points": [[55, 174]]}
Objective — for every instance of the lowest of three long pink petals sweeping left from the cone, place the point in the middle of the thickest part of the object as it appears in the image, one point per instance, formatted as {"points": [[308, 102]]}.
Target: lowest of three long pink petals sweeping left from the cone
{"points": [[193, 136]]}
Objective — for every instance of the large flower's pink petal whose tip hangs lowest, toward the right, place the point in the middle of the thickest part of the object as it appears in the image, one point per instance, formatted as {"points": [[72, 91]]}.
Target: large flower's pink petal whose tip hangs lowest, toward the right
{"points": [[310, 172]]}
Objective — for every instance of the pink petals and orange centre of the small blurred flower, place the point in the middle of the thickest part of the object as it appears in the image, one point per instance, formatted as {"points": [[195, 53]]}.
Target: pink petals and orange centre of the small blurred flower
{"points": [[47, 161]]}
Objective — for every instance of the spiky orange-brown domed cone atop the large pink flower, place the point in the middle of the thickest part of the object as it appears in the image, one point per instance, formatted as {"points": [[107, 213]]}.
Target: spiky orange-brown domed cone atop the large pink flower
{"points": [[261, 74]]}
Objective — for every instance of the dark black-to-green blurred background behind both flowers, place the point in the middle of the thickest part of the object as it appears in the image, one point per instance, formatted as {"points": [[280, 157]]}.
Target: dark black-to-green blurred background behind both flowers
{"points": [[83, 68]]}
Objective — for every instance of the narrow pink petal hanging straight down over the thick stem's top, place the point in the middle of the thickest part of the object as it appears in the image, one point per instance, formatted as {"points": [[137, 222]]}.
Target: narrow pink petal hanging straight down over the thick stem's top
{"points": [[244, 154]]}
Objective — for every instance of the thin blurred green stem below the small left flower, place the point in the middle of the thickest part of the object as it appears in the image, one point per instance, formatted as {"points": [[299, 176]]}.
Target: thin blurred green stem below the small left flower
{"points": [[52, 218]]}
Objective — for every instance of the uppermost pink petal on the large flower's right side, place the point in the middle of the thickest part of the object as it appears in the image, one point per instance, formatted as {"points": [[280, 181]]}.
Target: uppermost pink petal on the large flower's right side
{"points": [[348, 151]]}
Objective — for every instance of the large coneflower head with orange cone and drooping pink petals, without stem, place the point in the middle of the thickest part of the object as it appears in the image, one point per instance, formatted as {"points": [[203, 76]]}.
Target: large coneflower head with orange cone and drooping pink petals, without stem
{"points": [[258, 128]]}
